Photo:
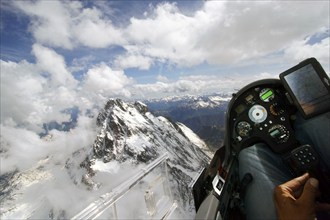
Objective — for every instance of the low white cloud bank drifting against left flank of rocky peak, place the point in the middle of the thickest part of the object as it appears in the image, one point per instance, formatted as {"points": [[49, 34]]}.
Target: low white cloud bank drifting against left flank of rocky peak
{"points": [[25, 146]]}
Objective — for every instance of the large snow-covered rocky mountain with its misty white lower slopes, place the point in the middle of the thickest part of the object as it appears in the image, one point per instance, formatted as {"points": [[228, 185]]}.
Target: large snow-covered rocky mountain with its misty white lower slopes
{"points": [[129, 138]]}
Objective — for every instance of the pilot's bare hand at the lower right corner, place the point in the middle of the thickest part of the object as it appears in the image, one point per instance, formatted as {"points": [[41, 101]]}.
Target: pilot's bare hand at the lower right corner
{"points": [[295, 199]]}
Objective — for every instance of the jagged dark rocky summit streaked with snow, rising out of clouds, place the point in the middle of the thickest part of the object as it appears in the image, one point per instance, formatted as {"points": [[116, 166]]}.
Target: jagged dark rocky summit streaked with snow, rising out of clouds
{"points": [[129, 131]]}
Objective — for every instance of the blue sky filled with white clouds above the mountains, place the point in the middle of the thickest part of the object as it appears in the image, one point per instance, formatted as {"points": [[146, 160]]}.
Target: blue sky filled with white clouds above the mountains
{"points": [[57, 55]]}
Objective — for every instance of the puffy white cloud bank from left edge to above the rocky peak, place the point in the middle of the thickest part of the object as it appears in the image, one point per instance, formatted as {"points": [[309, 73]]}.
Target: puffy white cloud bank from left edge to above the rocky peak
{"points": [[36, 93]]}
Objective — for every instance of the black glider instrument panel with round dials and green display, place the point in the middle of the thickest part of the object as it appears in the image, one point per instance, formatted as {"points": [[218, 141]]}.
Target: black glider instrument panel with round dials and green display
{"points": [[262, 114]]}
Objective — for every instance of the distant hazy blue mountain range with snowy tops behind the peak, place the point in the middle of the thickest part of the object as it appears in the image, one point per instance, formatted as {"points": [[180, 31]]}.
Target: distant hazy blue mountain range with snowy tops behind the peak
{"points": [[205, 115]]}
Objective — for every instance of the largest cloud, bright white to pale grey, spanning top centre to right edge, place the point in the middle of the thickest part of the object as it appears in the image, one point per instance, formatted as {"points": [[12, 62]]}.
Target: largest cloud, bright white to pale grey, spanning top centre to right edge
{"points": [[225, 32]]}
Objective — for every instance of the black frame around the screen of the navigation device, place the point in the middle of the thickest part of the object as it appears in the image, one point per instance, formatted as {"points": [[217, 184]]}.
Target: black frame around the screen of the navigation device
{"points": [[324, 78]]}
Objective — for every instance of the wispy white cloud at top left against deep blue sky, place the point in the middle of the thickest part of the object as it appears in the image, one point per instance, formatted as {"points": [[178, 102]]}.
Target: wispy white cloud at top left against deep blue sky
{"points": [[69, 24]]}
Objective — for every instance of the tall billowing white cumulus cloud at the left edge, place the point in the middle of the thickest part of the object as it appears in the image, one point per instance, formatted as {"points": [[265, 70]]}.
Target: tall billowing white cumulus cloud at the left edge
{"points": [[36, 93]]}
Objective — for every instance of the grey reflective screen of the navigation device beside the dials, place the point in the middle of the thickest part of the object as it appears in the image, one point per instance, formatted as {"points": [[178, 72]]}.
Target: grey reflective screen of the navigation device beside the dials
{"points": [[308, 89]]}
